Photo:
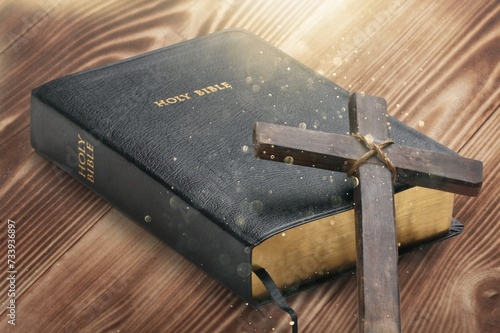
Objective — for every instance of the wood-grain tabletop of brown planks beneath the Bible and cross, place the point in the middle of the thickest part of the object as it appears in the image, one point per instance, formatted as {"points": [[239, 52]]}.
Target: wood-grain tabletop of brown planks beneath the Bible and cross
{"points": [[84, 267]]}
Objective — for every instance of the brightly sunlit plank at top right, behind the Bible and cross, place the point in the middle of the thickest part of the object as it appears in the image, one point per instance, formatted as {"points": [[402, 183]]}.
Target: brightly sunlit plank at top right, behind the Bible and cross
{"points": [[431, 61]]}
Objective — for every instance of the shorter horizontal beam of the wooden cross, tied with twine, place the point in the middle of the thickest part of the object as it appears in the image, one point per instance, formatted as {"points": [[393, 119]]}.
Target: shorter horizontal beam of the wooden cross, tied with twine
{"points": [[337, 152]]}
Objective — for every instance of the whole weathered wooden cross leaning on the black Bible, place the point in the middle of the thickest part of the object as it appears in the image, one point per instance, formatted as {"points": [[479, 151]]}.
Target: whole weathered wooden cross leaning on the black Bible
{"points": [[376, 240]]}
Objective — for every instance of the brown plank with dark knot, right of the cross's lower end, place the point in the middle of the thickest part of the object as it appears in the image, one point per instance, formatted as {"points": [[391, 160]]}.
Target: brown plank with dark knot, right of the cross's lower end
{"points": [[461, 277]]}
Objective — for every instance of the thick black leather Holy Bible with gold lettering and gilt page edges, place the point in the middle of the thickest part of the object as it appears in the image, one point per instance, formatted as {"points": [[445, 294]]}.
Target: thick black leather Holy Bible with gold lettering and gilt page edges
{"points": [[166, 137]]}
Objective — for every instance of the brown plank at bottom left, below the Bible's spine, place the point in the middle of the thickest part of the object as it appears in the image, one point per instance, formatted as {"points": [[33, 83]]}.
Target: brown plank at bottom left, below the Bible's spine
{"points": [[95, 291]]}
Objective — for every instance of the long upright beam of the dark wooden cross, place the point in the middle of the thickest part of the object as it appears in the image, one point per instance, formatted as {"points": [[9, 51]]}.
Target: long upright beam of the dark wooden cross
{"points": [[376, 240]]}
